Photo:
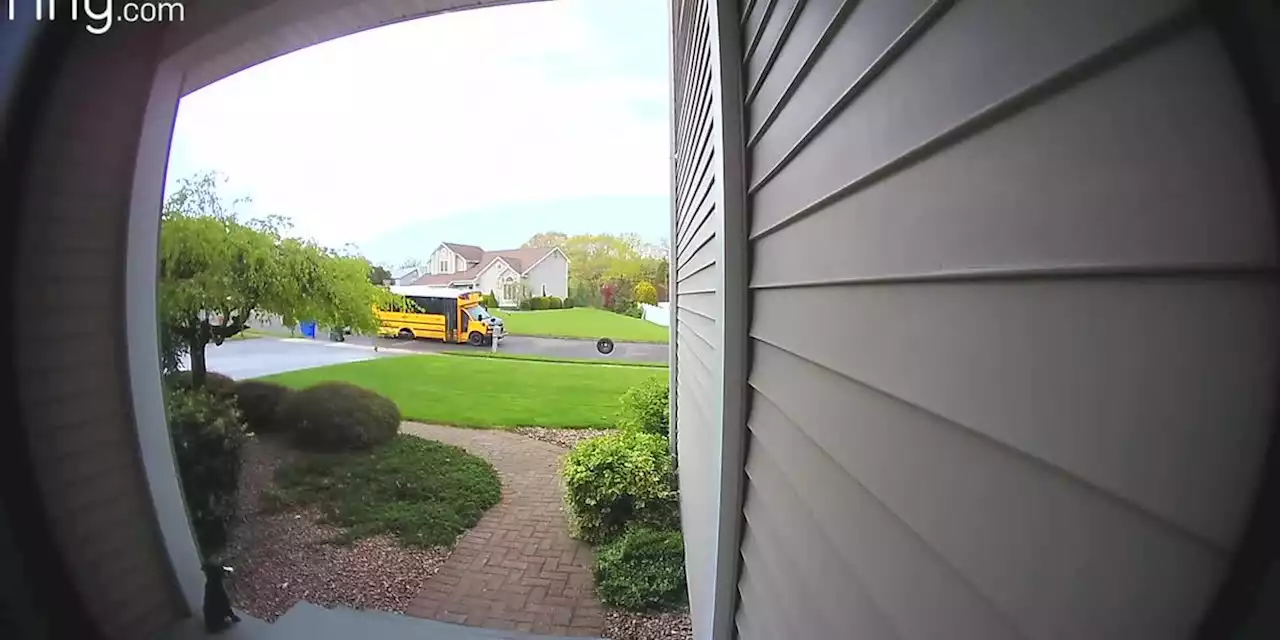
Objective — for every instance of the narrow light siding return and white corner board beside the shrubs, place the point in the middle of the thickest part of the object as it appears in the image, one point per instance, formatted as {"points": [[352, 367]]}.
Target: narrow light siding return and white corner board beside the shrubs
{"points": [[708, 301]]}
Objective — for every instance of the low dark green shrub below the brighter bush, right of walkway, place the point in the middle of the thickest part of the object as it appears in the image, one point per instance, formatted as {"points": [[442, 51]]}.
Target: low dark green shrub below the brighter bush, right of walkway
{"points": [[643, 570]]}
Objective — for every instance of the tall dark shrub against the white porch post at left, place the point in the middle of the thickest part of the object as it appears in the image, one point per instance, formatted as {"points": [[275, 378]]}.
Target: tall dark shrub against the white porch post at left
{"points": [[208, 437]]}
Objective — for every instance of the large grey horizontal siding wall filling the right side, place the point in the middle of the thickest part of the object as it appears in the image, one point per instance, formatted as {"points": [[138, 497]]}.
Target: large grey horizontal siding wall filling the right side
{"points": [[1043, 239]]}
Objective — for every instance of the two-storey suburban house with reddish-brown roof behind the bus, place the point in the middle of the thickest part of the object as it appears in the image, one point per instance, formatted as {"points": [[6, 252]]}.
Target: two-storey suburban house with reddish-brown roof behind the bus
{"points": [[510, 275]]}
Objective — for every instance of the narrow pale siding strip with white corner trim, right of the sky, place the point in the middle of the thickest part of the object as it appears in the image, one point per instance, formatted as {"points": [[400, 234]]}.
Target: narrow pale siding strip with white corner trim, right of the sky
{"points": [[700, 354]]}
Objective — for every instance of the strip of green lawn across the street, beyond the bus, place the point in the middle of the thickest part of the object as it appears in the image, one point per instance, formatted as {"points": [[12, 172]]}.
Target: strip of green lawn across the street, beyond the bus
{"points": [[583, 323]]}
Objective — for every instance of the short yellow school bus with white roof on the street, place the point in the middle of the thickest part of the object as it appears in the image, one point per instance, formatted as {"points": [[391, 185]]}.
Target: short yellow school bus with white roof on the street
{"points": [[442, 314]]}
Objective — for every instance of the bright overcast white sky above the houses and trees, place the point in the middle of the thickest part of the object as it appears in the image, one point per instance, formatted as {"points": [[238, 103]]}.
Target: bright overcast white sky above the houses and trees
{"points": [[482, 127]]}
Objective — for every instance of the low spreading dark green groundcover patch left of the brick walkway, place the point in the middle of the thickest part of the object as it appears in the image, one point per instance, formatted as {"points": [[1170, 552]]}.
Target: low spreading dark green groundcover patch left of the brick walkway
{"points": [[423, 492]]}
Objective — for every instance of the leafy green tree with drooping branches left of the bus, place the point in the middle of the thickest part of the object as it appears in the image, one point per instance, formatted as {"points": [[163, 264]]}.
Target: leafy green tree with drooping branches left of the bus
{"points": [[218, 272]]}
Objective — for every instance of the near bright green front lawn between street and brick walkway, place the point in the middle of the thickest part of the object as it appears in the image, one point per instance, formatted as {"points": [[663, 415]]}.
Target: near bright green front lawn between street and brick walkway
{"points": [[488, 392]]}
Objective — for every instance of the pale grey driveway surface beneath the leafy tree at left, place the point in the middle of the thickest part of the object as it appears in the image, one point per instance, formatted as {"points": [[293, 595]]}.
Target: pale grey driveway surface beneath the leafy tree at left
{"points": [[267, 356]]}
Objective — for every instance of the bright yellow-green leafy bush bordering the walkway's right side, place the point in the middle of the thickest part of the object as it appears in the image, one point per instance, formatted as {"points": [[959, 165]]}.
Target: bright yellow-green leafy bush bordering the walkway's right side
{"points": [[619, 479]]}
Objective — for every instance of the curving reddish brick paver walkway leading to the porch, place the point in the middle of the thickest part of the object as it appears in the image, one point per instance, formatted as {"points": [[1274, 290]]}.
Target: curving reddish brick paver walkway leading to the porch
{"points": [[518, 569]]}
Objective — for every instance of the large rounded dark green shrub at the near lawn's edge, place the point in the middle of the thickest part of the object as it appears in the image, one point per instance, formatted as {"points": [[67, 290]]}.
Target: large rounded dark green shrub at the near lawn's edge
{"points": [[339, 417]]}
